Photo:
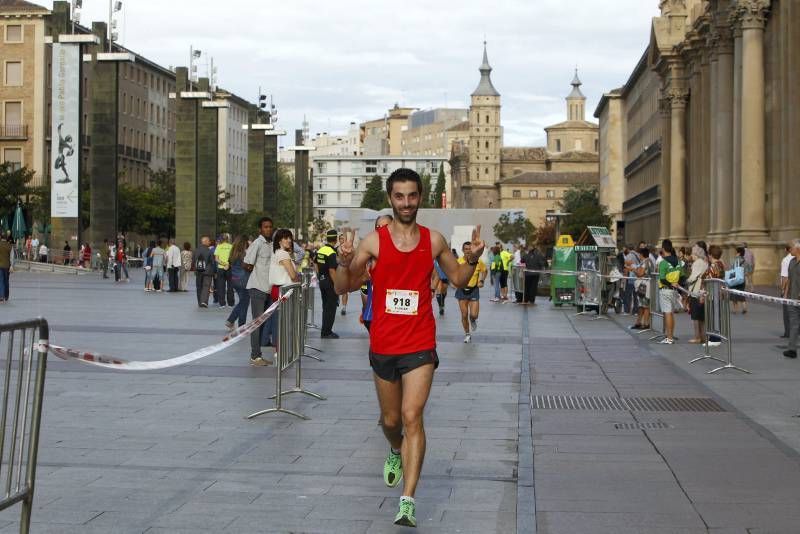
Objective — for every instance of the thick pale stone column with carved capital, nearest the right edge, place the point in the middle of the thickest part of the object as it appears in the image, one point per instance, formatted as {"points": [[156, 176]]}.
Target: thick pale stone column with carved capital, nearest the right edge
{"points": [[753, 15]]}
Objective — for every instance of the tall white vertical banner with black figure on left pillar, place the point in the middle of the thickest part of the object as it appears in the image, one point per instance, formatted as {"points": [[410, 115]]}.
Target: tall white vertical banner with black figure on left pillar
{"points": [[65, 134]]}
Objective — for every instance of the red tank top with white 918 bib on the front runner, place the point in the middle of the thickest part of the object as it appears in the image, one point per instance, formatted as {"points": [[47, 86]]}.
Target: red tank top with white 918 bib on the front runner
{"points": [[399, 281]]}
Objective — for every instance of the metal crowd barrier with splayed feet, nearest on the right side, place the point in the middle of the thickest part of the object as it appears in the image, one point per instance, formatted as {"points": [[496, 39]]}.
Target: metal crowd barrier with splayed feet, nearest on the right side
{"points": [[717, 308]]}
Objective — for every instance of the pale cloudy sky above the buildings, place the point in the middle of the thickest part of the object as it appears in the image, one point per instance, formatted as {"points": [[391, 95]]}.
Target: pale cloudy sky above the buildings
{"points": [[351, 60]]}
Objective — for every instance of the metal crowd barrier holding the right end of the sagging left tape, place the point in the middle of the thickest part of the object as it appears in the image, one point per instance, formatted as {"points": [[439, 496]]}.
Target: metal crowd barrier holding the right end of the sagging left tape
{"points": [[292, 316]]}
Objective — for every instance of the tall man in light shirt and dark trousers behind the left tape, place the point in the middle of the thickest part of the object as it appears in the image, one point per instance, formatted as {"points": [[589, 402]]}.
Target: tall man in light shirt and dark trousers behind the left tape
{"points": [[256, 261]]}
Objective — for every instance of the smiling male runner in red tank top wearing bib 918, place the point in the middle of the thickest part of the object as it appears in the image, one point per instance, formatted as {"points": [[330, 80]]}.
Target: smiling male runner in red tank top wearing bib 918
{"points": [[403, 331]]}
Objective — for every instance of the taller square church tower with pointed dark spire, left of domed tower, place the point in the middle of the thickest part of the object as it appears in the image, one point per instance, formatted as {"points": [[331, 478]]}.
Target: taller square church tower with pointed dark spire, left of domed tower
{"points": [[485, 141]]}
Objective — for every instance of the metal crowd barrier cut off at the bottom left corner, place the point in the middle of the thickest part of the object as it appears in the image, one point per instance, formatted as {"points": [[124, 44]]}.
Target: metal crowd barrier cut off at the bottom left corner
{"points": [[23, 344]]}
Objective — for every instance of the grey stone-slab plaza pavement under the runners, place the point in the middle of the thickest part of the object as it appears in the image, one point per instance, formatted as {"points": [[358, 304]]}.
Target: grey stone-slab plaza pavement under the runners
{"points": [[171, 452]]}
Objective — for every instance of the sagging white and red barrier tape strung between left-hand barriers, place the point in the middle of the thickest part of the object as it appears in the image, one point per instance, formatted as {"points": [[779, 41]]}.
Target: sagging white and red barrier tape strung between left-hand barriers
{"points": [[110, 362]]}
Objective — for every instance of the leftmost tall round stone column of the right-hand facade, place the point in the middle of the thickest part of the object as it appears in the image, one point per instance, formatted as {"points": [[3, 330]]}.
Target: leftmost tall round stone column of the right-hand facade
{"points": [[677, 228]]}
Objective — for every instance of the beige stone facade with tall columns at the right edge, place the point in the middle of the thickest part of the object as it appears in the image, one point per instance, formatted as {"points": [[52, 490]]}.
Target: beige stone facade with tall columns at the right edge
{"points": [[729, 113]]}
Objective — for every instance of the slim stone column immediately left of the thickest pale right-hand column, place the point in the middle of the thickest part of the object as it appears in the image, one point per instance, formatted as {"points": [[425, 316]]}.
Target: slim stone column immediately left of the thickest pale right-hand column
{"points": [[724, 135]]}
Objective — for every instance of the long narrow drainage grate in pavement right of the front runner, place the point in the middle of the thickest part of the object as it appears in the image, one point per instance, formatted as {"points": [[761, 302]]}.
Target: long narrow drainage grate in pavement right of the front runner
{"points": [[635, 404]]}
